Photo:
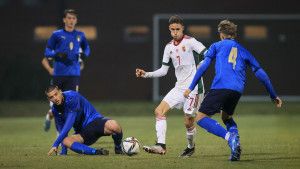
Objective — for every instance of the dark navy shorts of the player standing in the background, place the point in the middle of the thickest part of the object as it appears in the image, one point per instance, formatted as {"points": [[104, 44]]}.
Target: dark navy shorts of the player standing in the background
{"points": [[66, 82]]}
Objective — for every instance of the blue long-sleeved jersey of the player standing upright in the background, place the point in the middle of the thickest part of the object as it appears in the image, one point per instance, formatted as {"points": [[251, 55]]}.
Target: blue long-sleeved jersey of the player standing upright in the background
{"points": [[70, 43]]}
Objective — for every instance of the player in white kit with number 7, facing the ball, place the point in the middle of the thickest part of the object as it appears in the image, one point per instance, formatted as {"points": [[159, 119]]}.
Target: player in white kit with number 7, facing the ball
{"points": [[180, 52]]}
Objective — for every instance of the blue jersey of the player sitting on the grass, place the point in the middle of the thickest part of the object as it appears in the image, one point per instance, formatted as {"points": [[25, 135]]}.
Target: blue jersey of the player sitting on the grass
{"points": [[75, 111]]}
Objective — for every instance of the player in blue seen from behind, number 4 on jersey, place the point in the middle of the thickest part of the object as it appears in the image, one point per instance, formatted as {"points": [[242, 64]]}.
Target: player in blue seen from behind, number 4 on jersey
{"points": [[232, 60]]}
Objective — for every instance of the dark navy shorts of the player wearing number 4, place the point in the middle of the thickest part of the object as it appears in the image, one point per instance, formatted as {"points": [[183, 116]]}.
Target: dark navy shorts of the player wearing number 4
{"points": [[219, 99]]}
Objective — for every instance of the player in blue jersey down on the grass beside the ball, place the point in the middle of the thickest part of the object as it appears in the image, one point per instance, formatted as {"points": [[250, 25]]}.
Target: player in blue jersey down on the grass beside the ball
{"points": [[71, 109]]}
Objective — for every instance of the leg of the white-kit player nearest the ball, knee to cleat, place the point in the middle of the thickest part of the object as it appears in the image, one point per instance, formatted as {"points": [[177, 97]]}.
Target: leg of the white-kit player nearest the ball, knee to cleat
{"points": [[161, 129]]}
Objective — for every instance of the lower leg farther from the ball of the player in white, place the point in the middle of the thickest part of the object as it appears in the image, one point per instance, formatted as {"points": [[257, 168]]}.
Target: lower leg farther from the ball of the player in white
{"points": [[190, 134]]}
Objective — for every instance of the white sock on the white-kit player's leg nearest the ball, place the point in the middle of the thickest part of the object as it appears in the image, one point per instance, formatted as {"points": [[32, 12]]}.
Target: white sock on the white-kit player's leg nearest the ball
{"points": [[161, 130]]}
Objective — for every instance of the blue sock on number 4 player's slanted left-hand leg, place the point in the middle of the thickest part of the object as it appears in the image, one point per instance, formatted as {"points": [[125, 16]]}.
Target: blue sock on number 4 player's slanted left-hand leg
{"points": [[212, 126]]}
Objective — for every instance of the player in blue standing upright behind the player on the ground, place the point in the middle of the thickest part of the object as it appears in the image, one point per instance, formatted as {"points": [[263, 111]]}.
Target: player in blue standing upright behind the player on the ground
{"points": [[67, 48]]}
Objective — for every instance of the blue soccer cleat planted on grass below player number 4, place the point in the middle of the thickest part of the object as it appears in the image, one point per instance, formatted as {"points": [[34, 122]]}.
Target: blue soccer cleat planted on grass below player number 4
{"points": [[234, 144]]}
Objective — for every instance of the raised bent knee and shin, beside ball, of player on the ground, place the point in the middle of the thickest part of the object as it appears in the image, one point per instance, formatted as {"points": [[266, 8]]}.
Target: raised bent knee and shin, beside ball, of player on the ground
{"points": [[113, 128]]}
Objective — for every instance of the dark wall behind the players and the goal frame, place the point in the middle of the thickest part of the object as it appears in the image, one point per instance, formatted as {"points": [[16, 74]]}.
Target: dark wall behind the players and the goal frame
{"points": [[109, 72]]}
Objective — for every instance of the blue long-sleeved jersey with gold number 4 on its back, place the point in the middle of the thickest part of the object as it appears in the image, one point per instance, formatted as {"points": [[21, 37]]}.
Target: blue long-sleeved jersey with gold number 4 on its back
{"points": [[232, 60]]}
